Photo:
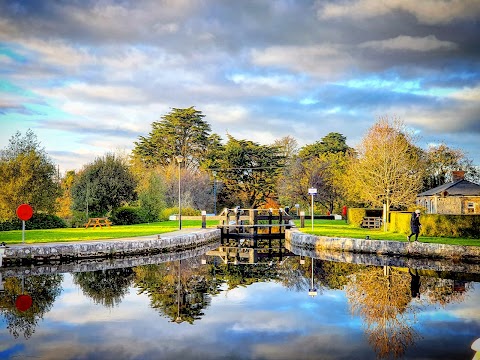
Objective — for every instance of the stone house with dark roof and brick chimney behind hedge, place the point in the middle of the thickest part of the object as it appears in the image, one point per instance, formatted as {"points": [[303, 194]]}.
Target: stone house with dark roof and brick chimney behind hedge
{"points": [[457, 197]]}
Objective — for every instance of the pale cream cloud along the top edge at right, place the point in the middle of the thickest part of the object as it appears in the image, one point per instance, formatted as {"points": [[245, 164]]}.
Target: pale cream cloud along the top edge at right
{"points": [[426, 11]]}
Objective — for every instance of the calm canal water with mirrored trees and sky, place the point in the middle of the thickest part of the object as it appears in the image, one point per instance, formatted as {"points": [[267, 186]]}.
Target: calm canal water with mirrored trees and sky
{"points": [[235, 302]]}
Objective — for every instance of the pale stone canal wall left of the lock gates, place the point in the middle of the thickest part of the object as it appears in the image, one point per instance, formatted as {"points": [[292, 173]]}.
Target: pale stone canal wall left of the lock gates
{"points": [[35, 253]]}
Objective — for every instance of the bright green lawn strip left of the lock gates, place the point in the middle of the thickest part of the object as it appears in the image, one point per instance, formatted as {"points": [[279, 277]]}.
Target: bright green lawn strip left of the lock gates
{"points": [[114, 232]]}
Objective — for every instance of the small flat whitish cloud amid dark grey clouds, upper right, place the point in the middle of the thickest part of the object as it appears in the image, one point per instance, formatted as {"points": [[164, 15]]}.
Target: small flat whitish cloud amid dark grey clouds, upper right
{"points": [[402, 42]]}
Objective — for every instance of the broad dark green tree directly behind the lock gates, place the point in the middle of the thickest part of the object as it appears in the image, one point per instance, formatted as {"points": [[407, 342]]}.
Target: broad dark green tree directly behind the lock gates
{"points": [[249, 172]]}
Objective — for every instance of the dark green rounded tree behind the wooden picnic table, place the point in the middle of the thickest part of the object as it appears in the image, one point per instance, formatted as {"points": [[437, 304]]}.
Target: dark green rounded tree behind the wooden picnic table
{"points": [[103, 185]]}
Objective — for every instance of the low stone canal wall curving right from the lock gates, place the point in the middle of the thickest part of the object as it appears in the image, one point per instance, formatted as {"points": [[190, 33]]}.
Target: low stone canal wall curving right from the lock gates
{"points": [[383, 247]]}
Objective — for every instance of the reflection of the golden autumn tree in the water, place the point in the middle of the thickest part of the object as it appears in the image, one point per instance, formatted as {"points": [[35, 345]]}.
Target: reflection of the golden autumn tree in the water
{"points": [[381, 297]]}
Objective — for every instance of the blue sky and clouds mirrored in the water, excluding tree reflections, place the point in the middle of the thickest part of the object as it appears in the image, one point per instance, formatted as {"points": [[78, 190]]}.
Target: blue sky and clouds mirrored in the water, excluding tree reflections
{"points": [[278, 325]]}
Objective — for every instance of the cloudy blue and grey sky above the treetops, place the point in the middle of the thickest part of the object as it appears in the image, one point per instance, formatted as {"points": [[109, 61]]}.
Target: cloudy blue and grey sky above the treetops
{"points": [[90, 77]]}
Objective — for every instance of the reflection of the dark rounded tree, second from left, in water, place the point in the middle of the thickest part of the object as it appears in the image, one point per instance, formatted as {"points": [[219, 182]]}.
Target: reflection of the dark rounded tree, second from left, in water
{"points": [[105, 287]]}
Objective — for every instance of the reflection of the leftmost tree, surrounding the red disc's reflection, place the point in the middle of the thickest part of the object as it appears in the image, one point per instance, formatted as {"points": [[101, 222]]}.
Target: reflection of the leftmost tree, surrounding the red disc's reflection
{"points": [[43, 290]]}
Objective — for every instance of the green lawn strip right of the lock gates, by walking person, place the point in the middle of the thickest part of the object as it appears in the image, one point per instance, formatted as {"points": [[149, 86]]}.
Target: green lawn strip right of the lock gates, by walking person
{"points": [[338, 228]]}
